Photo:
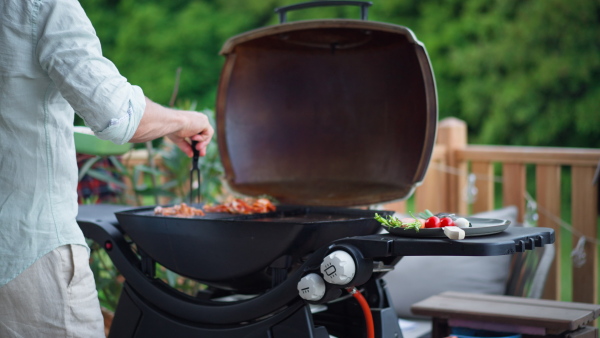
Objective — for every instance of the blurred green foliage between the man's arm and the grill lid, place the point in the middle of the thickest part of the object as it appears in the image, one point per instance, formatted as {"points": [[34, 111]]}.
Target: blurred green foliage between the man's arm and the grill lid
{"points": [[149, 40]]}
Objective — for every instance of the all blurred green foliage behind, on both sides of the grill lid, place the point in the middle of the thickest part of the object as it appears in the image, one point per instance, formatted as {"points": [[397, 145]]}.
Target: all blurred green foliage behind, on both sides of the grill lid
{"points": [[519, 72]]}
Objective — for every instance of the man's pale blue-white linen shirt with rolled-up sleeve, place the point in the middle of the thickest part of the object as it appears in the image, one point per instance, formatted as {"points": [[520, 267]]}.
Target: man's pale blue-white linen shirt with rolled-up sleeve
{"points": [[51, 65]]}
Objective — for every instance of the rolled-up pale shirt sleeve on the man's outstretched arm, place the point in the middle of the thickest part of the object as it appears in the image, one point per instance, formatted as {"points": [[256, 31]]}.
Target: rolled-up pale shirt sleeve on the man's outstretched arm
{"points": [[69, 51]]}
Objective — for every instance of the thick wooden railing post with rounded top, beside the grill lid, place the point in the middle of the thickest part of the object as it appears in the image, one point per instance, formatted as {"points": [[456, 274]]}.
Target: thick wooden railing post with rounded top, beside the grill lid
{"points": [[452, 133]]}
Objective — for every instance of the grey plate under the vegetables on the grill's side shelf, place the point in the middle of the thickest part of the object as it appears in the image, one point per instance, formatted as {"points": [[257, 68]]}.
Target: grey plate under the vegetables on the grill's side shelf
{"points": [[479, 227]]}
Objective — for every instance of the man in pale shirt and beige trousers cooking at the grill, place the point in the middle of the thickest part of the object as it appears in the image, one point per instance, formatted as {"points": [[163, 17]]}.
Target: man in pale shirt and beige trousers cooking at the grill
{"points": [[51, 66]]}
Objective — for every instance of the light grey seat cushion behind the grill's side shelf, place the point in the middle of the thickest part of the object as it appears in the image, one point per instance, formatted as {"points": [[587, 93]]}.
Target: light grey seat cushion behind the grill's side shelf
{"points": [[418, 277]]}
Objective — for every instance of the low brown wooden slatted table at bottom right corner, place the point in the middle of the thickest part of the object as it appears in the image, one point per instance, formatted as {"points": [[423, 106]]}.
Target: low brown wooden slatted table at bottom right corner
{"points": [[530, 317]]}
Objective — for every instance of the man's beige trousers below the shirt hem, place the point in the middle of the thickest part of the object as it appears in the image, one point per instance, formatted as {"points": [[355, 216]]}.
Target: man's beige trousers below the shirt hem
{"points": [[55, 297]]}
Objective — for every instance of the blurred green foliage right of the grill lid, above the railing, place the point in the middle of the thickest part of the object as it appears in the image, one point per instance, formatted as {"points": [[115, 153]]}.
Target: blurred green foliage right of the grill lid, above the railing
{"points": [[519, 72]]}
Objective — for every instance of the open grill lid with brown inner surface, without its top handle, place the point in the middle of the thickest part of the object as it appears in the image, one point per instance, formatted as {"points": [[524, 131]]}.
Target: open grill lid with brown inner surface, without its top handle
{"points": [[326, 112]]}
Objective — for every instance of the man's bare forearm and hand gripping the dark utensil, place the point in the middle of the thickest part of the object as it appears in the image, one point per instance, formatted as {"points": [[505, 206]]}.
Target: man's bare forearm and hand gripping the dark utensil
{"points": [[178, 125]]}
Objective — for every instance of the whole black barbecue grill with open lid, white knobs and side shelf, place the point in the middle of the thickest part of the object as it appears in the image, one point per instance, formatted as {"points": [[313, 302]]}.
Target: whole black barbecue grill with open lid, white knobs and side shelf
{"points": [[322, 115]]}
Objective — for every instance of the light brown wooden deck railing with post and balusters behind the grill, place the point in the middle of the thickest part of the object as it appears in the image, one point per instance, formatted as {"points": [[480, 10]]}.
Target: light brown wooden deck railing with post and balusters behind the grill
{"points": [[454, 160]]}
